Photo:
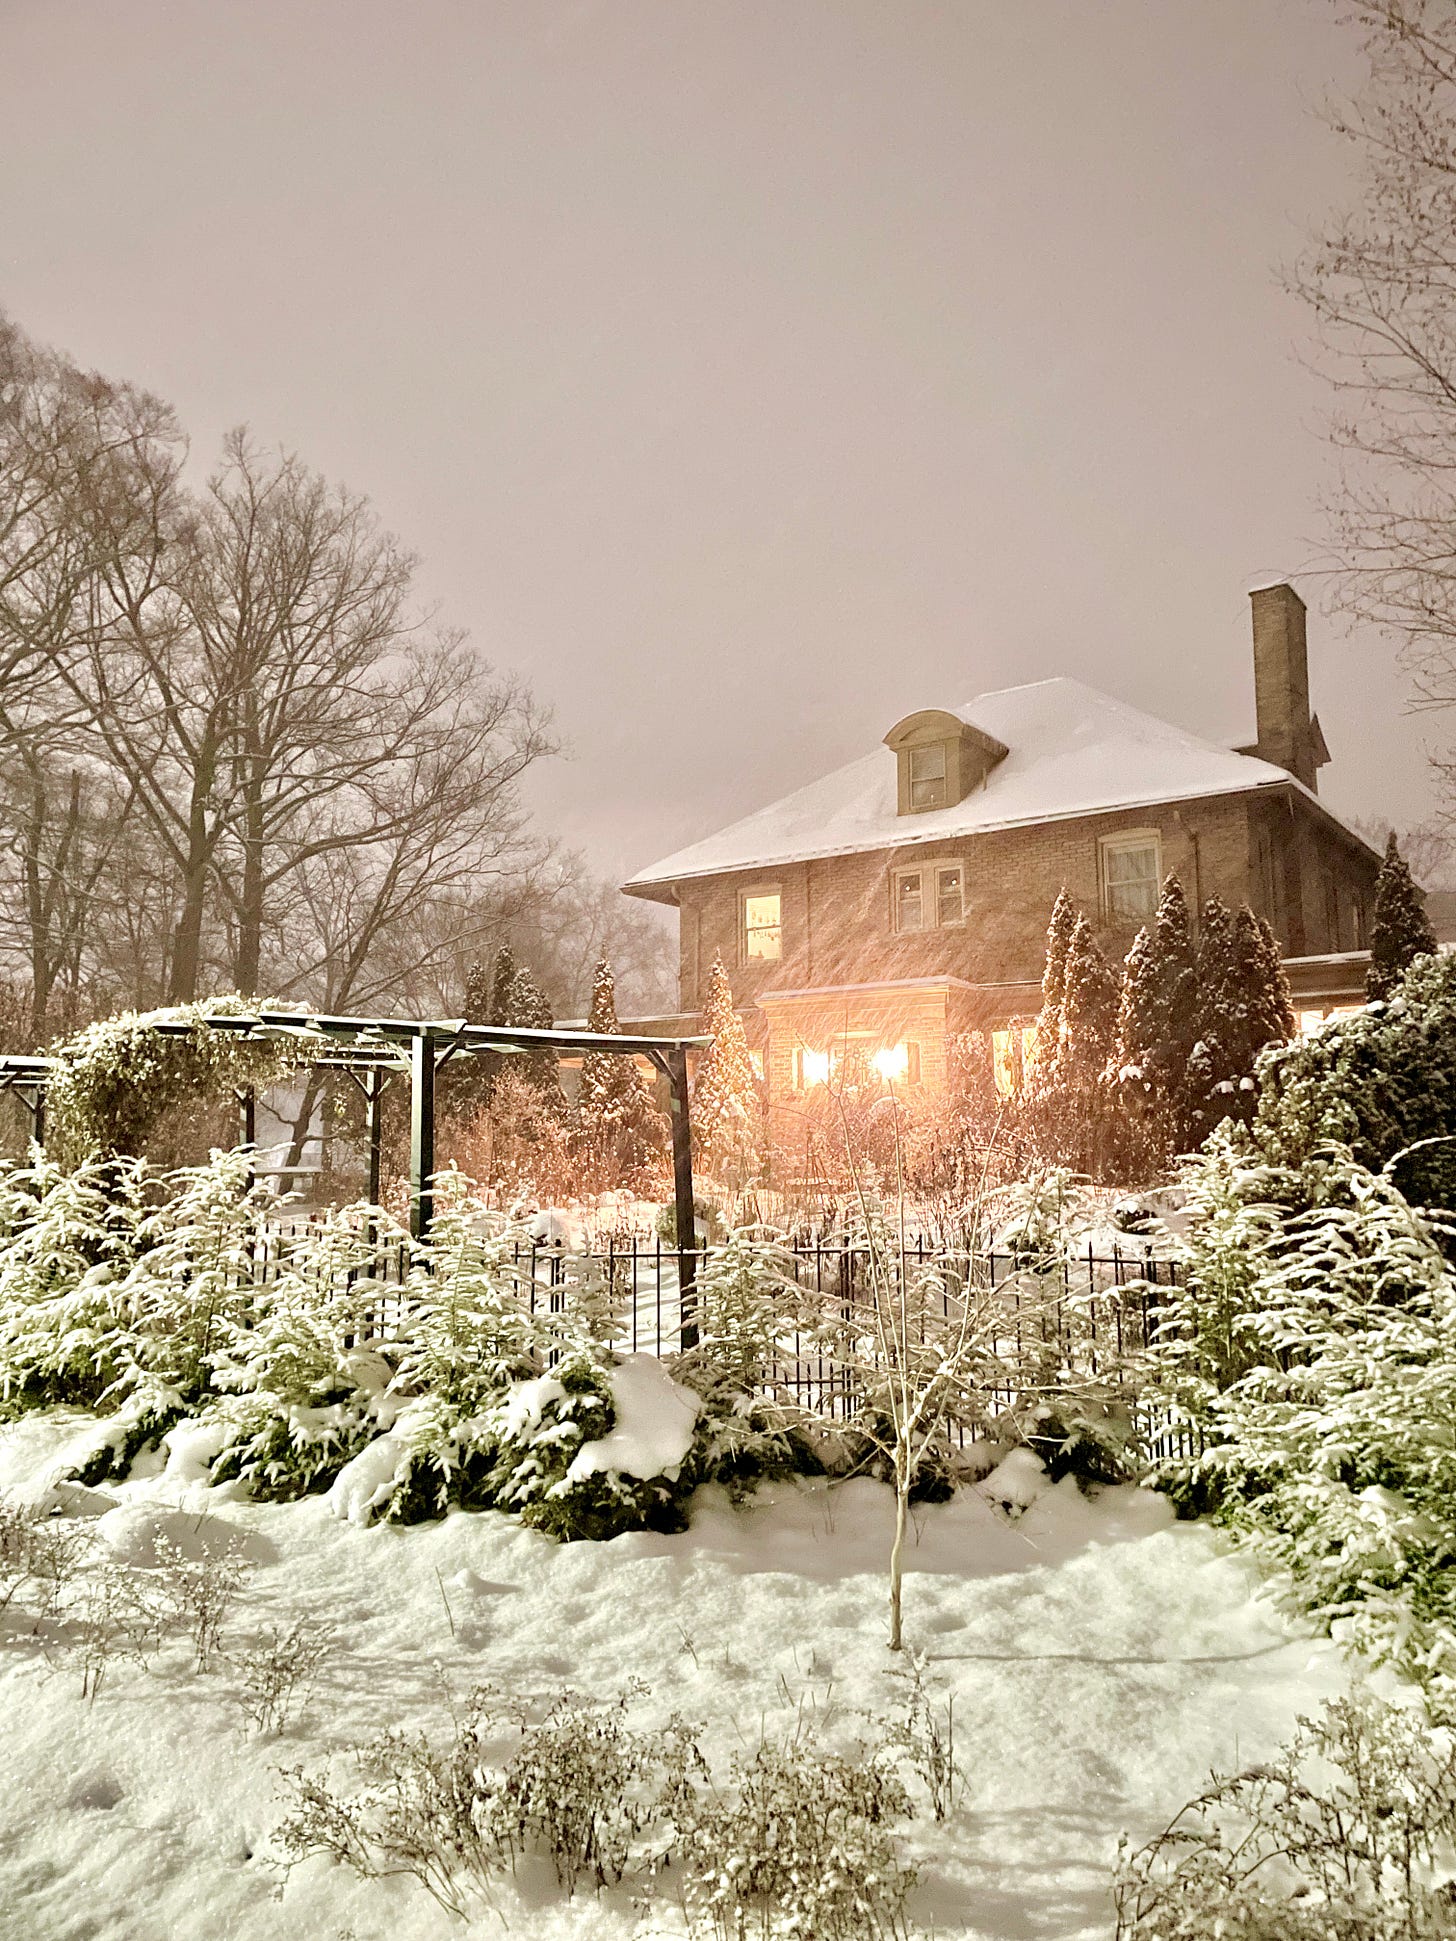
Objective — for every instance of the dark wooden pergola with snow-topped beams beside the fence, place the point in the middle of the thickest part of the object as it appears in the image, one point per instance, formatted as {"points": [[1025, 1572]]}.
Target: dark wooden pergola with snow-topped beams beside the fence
{"points": [[374, 1051]]}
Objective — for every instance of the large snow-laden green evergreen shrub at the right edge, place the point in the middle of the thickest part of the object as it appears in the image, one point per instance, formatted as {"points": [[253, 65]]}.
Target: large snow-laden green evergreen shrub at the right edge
{"points": [[1315, 1352]]}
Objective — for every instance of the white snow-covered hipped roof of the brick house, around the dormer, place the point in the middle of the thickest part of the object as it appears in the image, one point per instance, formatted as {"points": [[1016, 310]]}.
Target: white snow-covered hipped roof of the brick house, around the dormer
{"points": [[1073, 752]]}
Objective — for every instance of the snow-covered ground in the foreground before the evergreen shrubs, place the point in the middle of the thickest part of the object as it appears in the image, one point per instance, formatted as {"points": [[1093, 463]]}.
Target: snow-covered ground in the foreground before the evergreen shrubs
{"points": [[1102, 1661]]}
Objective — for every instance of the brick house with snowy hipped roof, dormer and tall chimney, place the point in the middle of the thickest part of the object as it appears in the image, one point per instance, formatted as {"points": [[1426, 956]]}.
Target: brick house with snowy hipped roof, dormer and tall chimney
{"points": [[906, 898]]}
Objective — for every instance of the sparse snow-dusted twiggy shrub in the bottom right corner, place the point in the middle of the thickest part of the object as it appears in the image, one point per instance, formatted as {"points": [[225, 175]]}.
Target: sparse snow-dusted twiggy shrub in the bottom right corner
{"points": [[1350, 1835]]}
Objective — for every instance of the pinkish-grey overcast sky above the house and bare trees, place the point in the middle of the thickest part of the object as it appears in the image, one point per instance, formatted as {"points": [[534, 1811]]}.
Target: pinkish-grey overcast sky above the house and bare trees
{"points": [[748, 374]]}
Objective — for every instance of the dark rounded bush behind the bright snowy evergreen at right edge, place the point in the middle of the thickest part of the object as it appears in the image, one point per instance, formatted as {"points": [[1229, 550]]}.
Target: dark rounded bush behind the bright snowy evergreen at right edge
{"points": [[1381, 1082]]}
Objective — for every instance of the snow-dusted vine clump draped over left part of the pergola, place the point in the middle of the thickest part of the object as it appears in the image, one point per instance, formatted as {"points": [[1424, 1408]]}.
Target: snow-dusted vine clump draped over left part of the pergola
{"points": [[114, 1082]]}
